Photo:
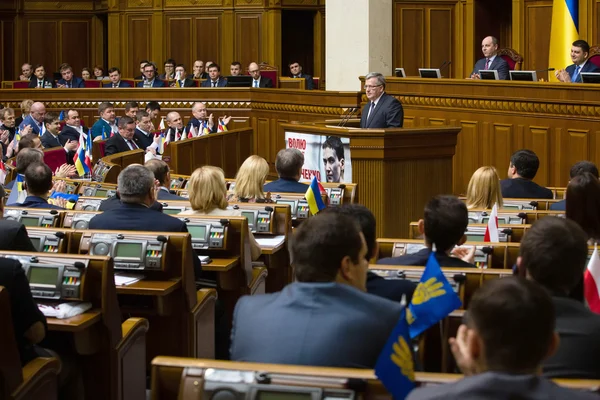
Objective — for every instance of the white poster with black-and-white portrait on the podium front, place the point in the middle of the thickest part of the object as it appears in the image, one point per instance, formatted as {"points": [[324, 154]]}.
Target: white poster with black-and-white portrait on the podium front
{"points": [[326, 157]]}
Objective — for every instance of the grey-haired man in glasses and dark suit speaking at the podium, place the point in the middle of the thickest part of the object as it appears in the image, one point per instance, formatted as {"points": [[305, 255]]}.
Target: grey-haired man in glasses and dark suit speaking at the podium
{"points": [[382, 110]]}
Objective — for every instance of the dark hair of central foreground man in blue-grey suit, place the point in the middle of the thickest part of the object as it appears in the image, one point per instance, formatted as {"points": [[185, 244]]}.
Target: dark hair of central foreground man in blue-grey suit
{"points": [[320, 244]]}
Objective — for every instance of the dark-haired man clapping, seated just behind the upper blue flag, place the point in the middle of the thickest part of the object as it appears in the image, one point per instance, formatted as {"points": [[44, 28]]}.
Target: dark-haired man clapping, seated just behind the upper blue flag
{"points": [[444, 224]]}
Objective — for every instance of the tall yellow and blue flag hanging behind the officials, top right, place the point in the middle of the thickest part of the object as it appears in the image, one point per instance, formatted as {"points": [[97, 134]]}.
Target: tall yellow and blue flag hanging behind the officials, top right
{"points": [[564, 31]]}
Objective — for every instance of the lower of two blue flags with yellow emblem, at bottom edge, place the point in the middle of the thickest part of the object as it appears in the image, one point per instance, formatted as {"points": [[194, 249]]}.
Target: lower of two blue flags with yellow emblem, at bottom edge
{"points": [[395, 367]]}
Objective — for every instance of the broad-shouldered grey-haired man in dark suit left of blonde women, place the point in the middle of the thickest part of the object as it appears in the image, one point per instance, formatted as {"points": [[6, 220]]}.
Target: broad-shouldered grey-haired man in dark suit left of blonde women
{"points": [[136, 189]]}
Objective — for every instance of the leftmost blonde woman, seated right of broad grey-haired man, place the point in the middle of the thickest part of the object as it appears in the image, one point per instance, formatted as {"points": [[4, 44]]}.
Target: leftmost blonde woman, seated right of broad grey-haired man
{"points": [[208, 193]]}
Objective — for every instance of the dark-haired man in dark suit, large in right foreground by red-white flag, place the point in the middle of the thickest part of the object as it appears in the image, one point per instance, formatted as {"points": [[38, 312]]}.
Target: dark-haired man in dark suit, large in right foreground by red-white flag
{"points": [[554, 254]]}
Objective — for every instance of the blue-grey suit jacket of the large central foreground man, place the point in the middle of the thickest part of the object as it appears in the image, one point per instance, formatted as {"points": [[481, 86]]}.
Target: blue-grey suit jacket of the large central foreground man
{"points": [[318, 324]]}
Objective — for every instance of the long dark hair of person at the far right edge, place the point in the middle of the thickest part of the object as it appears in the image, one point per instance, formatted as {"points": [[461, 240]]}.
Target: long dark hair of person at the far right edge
{"points": [[583, 203]]}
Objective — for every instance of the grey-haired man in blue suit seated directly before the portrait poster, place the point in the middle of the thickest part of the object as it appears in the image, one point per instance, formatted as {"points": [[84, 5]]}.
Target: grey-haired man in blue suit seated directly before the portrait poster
{"points": [[288, 164]]}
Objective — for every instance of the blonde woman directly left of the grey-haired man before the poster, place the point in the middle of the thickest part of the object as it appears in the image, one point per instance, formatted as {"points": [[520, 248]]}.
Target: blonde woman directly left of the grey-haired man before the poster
{"points": [[250, 180]]}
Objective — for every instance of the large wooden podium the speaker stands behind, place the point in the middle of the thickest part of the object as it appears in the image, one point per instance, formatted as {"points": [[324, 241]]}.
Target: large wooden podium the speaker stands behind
{"points": [[396, 170]]}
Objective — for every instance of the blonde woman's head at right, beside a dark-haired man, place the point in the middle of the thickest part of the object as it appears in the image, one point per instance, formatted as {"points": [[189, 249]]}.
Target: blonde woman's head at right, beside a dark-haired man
{"points": [[484, 189]]}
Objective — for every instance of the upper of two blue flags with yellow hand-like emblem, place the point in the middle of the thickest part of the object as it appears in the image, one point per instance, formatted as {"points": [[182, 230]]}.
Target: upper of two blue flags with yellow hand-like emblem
{"points": [[433, 300]]}
